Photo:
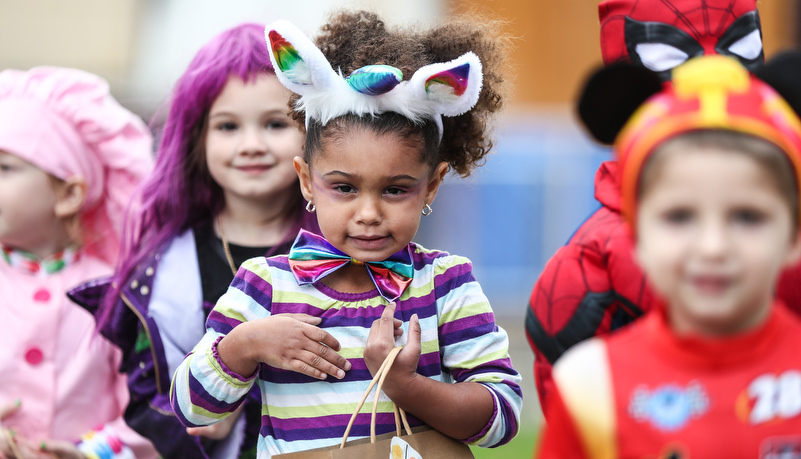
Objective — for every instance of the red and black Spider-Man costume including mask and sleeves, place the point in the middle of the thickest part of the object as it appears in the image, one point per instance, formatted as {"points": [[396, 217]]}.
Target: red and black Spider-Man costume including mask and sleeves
{"points": [[593, 285]]}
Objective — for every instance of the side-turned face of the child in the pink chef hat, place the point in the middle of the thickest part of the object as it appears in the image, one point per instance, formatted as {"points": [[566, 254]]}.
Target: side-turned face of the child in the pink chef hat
{"points": [[27, 204]]}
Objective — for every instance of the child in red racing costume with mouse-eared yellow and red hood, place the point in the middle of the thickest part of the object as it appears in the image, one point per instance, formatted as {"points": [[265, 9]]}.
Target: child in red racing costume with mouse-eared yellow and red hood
{"points": [[709, 169]]}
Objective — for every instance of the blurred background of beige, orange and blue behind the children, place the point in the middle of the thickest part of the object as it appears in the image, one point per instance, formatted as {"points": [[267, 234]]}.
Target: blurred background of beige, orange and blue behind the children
{"points": [[509, 217]]}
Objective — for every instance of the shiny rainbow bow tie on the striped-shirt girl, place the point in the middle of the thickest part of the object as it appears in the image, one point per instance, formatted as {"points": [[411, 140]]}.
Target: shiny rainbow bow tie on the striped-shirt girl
{"points": [[312, 257]]}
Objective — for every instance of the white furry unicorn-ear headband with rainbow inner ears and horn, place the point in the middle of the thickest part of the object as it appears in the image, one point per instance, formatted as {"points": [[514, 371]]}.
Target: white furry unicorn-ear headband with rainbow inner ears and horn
{"points": [[448, 88]]}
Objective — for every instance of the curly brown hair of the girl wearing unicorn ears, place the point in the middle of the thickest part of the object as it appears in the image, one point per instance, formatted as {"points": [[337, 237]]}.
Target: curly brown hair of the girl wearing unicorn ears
{"points": [[351, 40]]}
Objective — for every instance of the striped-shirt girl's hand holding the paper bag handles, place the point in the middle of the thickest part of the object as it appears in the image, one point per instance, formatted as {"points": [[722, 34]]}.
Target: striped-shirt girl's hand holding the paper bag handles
{"points": [[381, 340]]}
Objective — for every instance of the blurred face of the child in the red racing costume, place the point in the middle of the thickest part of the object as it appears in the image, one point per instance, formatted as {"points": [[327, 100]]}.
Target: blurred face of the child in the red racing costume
{"points": [[713, 234]]}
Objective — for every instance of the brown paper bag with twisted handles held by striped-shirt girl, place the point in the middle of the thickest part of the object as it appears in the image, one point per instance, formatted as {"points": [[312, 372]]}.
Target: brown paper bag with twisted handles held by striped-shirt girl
{"points": [[429, 443]]}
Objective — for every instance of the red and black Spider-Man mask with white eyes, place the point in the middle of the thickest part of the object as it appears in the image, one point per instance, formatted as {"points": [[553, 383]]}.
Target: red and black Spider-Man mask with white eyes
{"points": [[661, 34]]}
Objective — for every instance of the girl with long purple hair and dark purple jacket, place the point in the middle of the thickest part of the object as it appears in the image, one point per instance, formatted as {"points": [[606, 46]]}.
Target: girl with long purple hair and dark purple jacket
{"points": [[224, 190]]}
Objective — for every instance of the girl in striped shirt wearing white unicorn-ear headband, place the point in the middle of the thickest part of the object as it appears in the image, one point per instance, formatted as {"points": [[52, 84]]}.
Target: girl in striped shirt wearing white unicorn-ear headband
{"points": [[377, 149]]}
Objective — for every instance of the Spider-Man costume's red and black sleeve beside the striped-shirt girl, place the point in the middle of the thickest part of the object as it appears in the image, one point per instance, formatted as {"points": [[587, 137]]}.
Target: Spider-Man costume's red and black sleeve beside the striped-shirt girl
{"points": [[590, 286]]}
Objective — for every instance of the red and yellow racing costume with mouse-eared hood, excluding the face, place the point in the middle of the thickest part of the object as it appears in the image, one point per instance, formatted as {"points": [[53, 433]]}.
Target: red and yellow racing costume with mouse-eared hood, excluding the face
{"points": [[651, 390]]}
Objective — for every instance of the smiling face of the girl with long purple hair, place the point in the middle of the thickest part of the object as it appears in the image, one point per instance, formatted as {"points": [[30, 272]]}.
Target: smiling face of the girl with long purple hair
{"points": [[251, 141]]}
